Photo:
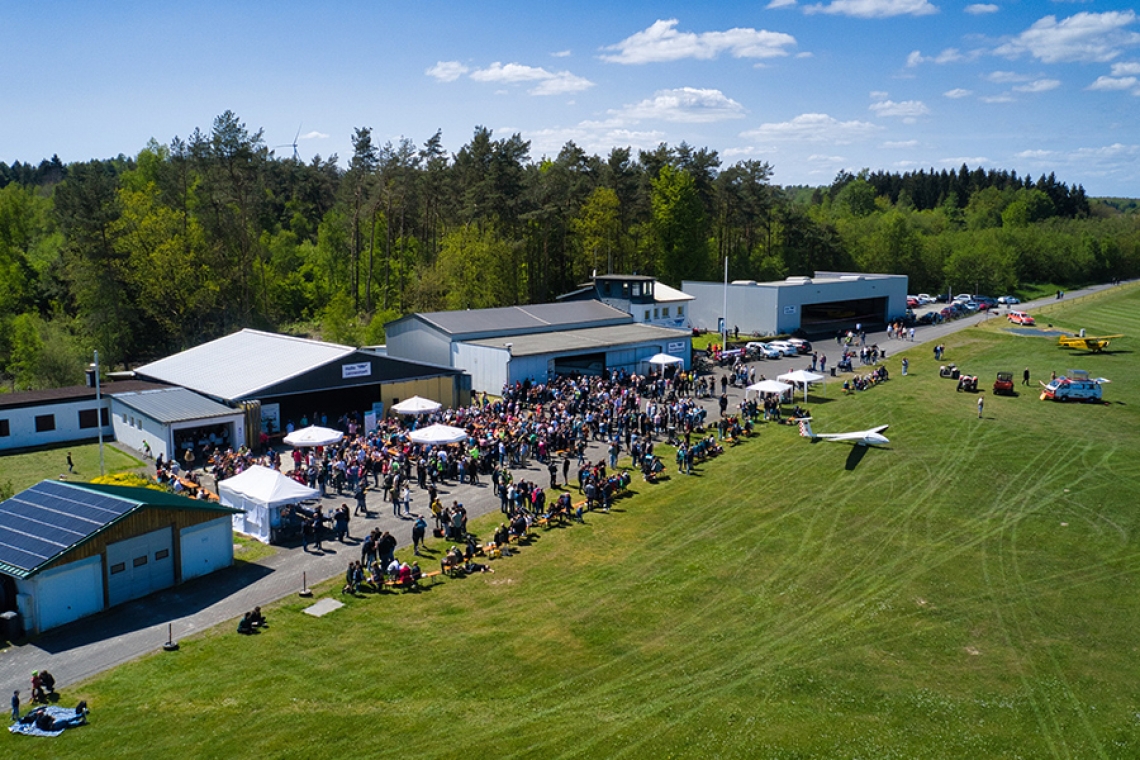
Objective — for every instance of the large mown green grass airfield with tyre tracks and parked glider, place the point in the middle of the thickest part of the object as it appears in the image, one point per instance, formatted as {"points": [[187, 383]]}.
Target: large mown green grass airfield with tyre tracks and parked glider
{"points": [[970, 592]]}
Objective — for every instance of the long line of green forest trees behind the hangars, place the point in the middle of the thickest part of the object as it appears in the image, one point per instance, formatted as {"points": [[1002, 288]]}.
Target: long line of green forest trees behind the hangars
{"points": [[190, 240]]}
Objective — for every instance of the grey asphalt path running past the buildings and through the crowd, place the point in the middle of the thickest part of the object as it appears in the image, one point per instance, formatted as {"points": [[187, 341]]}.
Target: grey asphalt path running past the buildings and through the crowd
{"points": [[93, 645]]}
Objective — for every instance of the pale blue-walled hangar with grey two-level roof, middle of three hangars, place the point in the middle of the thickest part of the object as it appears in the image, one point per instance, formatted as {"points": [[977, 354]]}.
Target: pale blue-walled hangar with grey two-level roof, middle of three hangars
{"points": [[535, 342]]}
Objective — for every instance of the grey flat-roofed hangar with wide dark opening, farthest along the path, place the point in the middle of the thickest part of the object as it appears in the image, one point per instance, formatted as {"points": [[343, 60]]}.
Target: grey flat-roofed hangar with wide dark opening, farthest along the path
{"points": [[816, 306]]}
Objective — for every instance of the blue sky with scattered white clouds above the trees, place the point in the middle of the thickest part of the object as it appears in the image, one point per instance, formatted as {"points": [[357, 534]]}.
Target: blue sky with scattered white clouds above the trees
{"points": [[812, 88]]}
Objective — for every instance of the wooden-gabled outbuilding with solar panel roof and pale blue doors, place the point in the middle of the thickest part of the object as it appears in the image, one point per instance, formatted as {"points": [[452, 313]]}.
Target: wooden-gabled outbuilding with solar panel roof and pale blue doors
{"points": [[72, 550]]}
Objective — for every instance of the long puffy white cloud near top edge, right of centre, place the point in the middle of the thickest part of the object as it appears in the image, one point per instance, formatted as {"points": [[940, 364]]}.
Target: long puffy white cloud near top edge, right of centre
{"points": [[662, 43]]}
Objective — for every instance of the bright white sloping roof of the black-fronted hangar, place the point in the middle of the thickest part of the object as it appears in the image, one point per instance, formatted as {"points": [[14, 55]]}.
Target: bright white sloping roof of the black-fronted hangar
{"points": [[240, 365]]}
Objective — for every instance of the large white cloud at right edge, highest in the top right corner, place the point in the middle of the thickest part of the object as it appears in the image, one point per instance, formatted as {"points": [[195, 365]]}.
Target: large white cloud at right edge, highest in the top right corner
{"points": [[1084, 38]]}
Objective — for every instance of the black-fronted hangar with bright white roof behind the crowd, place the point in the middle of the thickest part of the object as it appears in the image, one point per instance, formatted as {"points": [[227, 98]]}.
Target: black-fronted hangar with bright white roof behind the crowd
{"points": [[276, 379]]}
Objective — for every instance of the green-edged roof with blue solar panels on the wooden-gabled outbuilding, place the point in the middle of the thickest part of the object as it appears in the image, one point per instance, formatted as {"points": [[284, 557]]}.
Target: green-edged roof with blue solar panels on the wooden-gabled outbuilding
{"points": [[48, 520]]}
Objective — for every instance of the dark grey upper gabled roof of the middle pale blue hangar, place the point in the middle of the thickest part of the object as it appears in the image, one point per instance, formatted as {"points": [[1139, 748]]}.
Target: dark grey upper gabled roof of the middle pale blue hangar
{"points": [[522, 320]]}
